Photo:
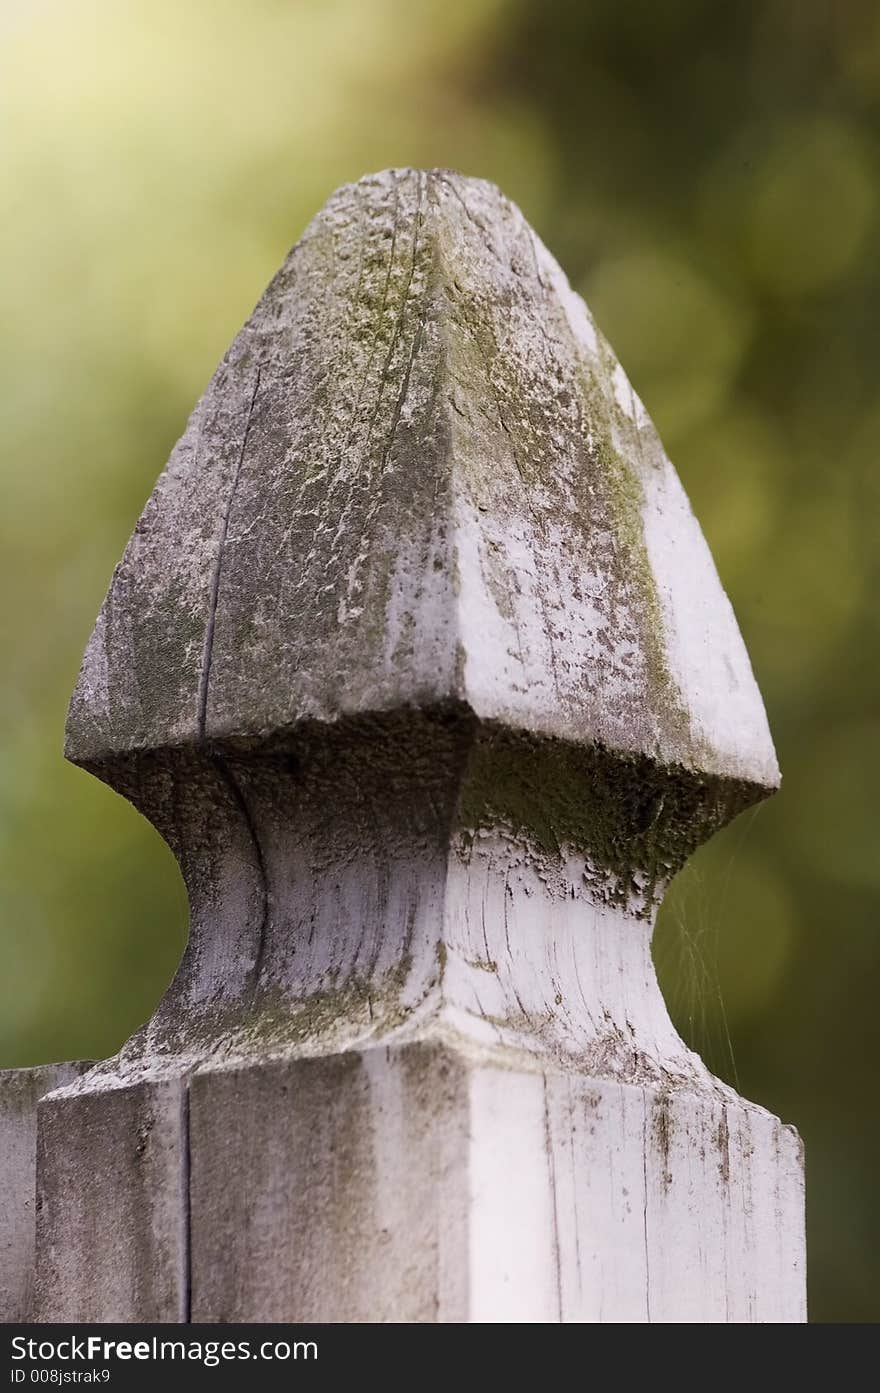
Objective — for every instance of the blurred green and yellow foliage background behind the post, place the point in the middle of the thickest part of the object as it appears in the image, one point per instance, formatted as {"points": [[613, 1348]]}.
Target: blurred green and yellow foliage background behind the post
{"points": [[709, 178]]}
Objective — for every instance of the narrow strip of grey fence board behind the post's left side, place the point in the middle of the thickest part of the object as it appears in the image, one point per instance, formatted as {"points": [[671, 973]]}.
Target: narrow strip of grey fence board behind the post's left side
{"points": [[20, 1091]]}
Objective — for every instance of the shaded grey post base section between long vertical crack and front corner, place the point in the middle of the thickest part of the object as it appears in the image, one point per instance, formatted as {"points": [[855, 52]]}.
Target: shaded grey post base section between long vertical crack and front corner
{"points": [[332, 1227]]}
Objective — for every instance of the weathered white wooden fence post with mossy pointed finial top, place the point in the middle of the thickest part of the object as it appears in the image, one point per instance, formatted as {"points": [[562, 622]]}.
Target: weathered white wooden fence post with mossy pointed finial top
{"points": [[420, 662]]}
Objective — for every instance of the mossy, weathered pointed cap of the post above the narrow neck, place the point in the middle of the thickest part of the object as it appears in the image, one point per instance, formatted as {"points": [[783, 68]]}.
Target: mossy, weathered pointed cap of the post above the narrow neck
{"points": [[421, 476]]}
